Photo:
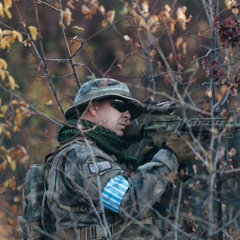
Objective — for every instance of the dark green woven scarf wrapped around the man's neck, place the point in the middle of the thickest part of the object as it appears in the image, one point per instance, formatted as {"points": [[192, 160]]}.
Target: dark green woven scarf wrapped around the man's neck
{"points": [[105, 139]]}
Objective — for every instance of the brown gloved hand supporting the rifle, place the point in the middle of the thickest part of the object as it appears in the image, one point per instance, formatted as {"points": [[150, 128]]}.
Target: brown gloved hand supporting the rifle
{"points": [[180, 146]]}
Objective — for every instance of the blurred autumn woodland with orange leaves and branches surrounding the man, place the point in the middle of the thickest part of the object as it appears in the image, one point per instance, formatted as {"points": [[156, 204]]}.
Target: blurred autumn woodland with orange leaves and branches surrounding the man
{"points": [[184, 51]]}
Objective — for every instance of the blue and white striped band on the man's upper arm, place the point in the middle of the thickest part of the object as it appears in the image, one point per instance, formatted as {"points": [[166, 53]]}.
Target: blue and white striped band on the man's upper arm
{"points": [[114, 192]]}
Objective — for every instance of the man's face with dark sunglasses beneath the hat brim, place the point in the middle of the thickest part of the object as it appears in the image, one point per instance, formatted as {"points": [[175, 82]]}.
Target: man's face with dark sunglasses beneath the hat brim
{"points": [[113, 115]]}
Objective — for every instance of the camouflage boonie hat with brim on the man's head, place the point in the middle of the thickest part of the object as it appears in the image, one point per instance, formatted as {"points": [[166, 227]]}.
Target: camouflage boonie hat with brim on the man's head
{"points": [[103, 88]]}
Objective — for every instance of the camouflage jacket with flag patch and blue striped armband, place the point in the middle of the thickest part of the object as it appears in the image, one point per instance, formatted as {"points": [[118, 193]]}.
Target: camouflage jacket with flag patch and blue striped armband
{"points": [[81, 175]]}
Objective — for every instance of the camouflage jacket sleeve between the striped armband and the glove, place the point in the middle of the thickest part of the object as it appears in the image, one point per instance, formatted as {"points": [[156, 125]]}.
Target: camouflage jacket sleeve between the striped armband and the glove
{"points": [[148, 184]]}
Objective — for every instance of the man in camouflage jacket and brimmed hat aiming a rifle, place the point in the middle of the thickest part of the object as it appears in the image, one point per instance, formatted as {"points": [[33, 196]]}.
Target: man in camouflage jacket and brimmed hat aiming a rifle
{"points": [[90, 192]]}
